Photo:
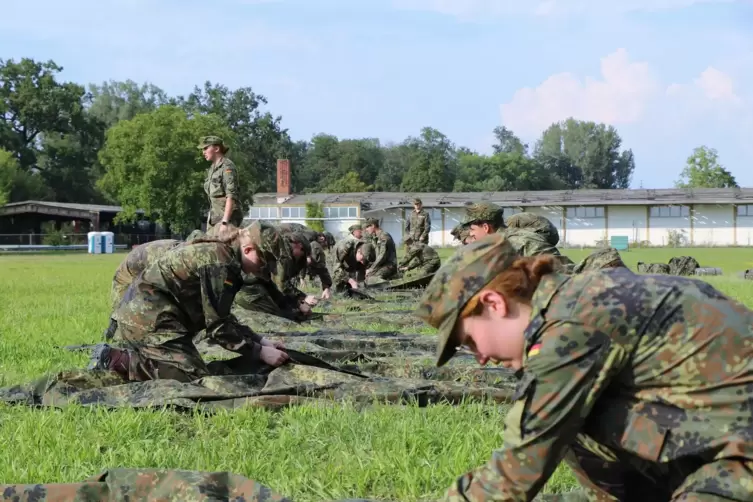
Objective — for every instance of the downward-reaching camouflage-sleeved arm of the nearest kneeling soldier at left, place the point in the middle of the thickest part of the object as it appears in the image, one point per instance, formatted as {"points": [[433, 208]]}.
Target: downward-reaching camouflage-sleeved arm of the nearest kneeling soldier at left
{"points": [[219, 285]]}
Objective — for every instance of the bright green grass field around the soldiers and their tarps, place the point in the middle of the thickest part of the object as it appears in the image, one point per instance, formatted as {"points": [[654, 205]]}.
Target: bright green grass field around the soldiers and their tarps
{"points": [[307, 453]]}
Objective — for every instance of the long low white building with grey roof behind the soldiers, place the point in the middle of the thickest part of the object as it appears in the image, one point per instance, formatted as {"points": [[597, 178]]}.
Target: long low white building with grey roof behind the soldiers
{"points": [[584, 218]]}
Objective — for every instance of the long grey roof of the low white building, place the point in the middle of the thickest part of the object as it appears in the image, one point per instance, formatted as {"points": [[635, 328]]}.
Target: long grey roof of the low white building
{"points": [[383, 200]]}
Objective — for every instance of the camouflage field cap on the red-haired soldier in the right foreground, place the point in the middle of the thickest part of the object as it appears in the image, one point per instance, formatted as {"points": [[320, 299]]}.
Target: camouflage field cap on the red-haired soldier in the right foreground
{"points": [[460, 278]]}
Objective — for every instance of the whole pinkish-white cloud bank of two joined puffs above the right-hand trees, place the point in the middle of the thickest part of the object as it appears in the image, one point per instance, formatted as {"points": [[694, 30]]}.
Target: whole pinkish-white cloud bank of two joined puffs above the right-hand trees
{"points": [[623, 95]]}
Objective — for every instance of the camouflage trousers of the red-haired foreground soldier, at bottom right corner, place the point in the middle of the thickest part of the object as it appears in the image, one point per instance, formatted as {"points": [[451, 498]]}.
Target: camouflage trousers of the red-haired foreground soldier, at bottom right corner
{"points": [[725, 479]]}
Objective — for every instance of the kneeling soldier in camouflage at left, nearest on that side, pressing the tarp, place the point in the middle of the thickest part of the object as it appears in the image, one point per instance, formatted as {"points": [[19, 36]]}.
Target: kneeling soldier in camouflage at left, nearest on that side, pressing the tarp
{"points": [[189, 289]]}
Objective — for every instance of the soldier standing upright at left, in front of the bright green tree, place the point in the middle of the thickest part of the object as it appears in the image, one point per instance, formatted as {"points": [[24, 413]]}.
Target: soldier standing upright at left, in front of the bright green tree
{"points": [[221, 186]]}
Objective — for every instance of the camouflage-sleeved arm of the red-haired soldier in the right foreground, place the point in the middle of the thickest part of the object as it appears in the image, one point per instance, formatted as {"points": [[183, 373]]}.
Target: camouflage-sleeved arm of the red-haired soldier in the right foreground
{"points": [[560, 385]]}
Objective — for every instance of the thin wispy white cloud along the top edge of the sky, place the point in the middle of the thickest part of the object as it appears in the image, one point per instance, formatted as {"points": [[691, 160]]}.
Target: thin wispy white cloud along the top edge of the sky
{"points": [[483, 9]]}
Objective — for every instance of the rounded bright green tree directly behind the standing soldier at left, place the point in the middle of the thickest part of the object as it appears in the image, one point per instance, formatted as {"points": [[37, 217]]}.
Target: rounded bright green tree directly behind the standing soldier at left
{"points": [[151, 163]]}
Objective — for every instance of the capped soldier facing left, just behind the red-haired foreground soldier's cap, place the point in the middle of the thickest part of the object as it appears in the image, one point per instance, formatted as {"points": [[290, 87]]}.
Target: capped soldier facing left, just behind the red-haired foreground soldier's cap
{"points": [[485, 218]]}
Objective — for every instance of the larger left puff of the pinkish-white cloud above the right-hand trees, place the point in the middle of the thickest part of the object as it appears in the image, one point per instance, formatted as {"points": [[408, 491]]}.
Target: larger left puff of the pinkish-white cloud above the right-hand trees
{"points": [[619, 97]]}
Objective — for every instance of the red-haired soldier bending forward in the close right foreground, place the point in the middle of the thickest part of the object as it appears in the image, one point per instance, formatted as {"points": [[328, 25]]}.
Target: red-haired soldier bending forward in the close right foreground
{"points": [[642, 383]]}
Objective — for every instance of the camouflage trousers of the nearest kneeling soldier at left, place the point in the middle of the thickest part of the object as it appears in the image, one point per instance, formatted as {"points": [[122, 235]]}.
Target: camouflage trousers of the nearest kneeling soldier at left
{"points": [[173, 356]]}
